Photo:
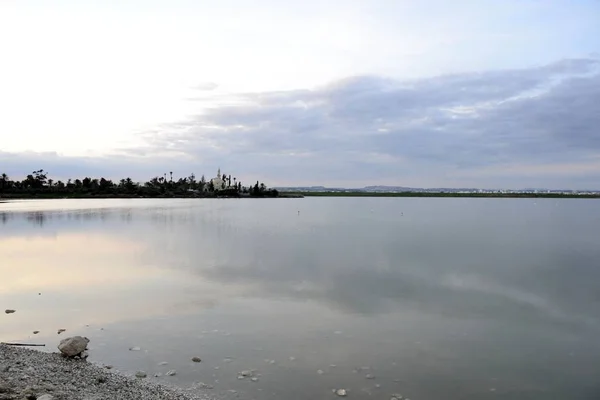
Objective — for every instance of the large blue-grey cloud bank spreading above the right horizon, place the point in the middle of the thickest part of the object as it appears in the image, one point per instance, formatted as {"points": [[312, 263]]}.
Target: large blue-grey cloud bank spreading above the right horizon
{"points": [[511, 128]]}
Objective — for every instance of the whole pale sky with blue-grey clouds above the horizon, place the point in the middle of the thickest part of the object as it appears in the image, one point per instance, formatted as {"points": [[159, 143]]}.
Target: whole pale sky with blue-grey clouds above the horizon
{"points": [[431, 93]]}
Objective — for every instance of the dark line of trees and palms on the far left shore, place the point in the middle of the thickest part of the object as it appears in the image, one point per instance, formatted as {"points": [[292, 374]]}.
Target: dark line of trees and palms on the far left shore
{"points": [[39, 184]]}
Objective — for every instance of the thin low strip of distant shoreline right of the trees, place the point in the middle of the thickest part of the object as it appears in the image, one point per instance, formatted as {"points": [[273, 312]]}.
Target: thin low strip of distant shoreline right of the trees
{"points": [[445, 194]]}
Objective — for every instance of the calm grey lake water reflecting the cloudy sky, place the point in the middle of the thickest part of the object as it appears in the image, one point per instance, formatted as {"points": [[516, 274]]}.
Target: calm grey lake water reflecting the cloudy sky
{"points": [[436, 298]]}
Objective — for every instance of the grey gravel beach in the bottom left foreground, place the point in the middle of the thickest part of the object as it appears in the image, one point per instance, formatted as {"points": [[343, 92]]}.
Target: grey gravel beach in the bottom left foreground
{"points": [[30, 374]]}
